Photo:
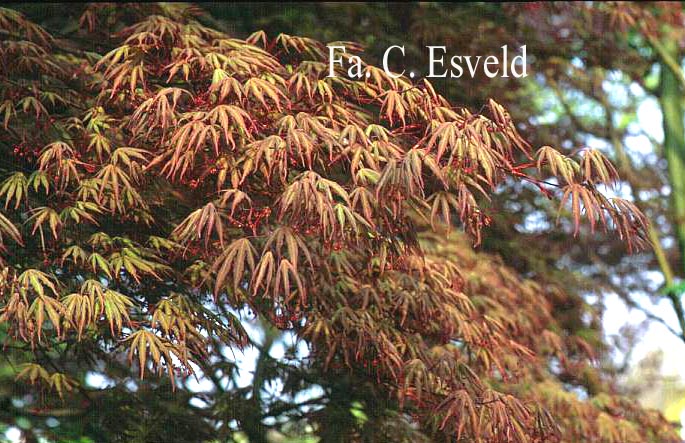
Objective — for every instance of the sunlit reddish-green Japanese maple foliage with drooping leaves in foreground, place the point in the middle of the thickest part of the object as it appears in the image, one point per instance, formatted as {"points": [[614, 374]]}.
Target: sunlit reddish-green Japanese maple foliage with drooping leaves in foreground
{"points": [[182, 175]]}
